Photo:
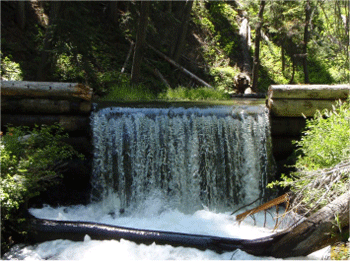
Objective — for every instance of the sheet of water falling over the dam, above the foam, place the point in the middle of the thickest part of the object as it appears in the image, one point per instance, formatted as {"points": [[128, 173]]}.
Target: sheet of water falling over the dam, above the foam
{"points": [[214, 157]]}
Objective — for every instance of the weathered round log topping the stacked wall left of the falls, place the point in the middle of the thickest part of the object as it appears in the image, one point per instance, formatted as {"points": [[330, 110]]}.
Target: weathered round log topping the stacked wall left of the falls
{"points": [[59, 90]]}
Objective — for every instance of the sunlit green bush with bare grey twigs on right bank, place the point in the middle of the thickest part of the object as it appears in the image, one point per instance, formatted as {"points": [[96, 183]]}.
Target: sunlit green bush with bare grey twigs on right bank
{"points": [[323, 166]]}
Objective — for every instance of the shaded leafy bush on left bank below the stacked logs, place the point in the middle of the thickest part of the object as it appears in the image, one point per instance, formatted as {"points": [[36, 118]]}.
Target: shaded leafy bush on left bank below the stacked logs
{"points": [[29, 161]]}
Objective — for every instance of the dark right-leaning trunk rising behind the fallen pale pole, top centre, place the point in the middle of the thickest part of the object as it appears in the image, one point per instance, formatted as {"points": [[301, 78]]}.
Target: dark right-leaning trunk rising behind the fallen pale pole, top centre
{"points": [[181, 37]]}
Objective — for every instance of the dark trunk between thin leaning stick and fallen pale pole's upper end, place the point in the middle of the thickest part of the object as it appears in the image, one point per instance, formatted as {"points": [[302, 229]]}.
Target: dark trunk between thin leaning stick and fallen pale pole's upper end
{"points": [[140, 39]]}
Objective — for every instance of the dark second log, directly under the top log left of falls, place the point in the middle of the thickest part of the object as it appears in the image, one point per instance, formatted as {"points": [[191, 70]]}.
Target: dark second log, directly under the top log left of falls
{"points": [[44, 106]]}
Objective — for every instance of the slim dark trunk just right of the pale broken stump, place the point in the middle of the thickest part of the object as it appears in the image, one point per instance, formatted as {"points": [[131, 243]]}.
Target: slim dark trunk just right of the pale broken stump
{"points": [[257, 47]]}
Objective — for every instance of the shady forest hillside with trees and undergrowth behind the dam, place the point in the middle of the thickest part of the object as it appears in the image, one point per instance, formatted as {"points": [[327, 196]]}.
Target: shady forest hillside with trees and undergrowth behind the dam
{"points": [[158, 46]]}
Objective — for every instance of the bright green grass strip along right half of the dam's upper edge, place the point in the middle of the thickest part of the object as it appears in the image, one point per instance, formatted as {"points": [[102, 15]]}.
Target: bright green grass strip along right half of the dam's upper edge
{"points": [[185, 94]]}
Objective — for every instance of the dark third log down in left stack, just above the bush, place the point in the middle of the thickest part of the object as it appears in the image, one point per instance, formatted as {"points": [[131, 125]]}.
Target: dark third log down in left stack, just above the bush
{"points": [[69, 123]]}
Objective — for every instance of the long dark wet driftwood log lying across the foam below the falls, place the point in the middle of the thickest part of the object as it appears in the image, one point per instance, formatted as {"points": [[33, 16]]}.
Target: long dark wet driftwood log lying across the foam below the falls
{"points": [[314, 233]]}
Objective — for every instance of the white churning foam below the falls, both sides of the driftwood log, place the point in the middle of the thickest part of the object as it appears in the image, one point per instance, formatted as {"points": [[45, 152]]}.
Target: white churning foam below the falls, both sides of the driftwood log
{"points": [[151, 216]]}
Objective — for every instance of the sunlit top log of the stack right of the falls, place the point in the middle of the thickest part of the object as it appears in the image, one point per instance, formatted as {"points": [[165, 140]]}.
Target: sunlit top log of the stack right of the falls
{"points": [[314, 91]]}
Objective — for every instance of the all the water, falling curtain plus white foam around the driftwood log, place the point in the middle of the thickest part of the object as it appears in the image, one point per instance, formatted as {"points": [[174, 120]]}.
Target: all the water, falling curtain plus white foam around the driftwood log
{"points": [[175, 169]]}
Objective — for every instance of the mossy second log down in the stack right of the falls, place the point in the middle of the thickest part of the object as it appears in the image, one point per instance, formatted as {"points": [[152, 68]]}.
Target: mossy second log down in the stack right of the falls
{"points": [[297, 108]]}
